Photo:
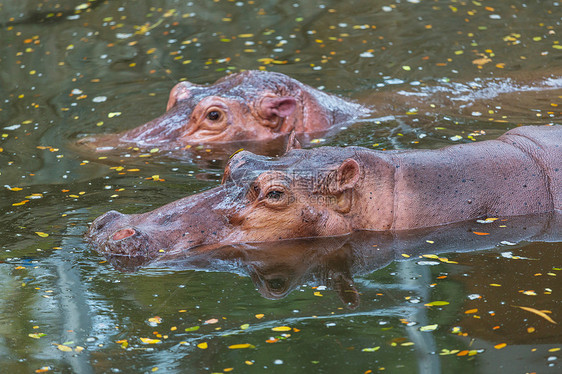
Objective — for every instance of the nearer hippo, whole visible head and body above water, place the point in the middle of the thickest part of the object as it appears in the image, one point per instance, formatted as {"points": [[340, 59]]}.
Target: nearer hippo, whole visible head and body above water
{"points": [[333, 191]]}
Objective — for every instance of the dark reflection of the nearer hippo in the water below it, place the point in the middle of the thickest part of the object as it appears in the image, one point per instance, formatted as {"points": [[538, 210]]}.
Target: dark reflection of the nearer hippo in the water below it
{"points": [[280, 267]]}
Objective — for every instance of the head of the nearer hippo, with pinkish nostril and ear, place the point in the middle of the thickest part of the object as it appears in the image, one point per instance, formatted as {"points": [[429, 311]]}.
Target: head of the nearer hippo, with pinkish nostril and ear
{"points": [[306, 193]]}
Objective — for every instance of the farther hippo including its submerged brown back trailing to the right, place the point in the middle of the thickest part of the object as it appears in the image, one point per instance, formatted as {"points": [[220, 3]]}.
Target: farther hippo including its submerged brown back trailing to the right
{"points": [[257, 110]]}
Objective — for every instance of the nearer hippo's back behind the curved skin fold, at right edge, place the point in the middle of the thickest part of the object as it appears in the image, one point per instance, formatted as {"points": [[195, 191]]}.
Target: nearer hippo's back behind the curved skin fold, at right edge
{"points": [[544, 145]]}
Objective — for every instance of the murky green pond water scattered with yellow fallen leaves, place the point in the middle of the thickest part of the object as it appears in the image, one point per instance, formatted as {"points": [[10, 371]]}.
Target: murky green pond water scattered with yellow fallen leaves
{"points": [[70, 68]]}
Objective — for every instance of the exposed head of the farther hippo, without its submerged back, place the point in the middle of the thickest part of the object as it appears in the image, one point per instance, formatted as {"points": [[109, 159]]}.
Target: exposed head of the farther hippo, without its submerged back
{"points": [[252, 105]]}
